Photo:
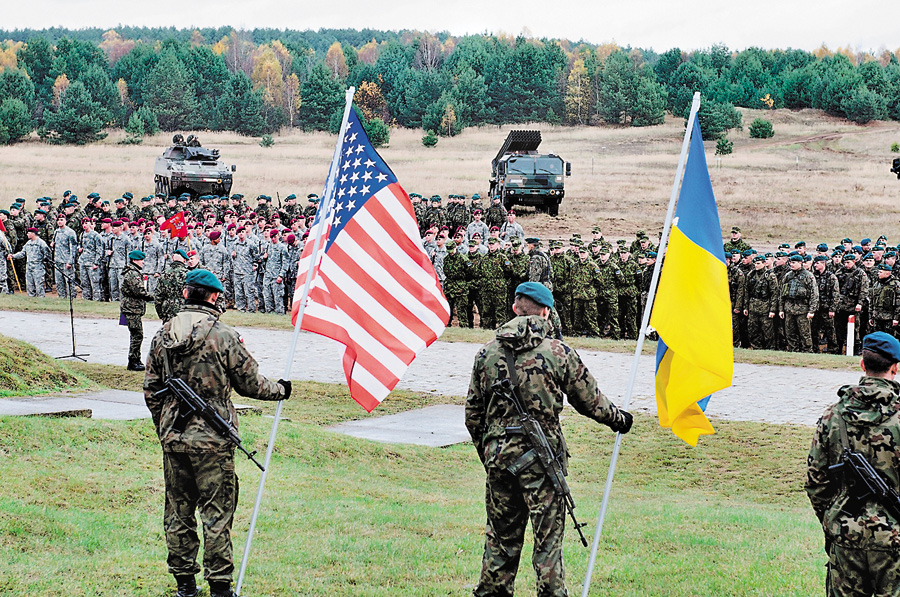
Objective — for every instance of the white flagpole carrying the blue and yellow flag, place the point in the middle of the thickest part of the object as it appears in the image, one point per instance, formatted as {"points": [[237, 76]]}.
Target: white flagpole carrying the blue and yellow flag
{"points": [[645, 320]]}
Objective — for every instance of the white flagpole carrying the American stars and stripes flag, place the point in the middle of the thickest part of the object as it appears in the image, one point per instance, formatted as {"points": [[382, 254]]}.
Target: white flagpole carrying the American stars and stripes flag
{"points": [[326, 207]]}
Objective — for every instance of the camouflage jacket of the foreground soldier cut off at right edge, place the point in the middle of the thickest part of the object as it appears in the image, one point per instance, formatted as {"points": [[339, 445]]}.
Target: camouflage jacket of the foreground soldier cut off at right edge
{"points": [[870, 412]]}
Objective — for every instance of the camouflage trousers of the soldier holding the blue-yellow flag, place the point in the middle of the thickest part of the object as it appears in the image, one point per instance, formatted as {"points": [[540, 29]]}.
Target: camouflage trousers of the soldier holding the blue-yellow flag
{"points": [[510, 502]]}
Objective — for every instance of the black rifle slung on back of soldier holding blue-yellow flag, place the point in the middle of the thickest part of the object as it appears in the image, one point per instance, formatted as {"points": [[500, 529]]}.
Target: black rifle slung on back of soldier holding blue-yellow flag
{"points": [[540, 451]]}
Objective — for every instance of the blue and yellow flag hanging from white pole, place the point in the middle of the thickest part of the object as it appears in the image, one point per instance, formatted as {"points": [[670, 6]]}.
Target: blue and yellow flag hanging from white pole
{"points": [[692, 309]]}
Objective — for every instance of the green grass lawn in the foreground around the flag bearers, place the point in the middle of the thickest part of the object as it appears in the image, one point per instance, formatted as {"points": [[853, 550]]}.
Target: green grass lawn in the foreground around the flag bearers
{"points": [[81, 508]]}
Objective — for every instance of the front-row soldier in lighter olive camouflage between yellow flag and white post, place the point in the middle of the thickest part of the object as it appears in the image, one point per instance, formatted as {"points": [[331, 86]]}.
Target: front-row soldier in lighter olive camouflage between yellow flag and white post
{"points": [[798, 303]]}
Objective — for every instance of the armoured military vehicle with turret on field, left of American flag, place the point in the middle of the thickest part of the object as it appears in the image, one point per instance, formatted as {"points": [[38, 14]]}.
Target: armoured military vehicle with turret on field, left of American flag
{"points": [[187, 167]]}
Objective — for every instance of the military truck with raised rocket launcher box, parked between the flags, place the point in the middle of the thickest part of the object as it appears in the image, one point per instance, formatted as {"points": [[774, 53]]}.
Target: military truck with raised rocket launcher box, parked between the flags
{"points": [[522, 176]]}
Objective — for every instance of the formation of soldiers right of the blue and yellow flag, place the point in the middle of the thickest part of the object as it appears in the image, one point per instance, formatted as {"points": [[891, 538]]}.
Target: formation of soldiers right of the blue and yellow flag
{"points": [[802, 300]]}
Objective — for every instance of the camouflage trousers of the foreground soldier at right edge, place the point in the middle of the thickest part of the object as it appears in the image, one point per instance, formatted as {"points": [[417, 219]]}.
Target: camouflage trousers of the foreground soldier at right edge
{"points": [[862, 572]]}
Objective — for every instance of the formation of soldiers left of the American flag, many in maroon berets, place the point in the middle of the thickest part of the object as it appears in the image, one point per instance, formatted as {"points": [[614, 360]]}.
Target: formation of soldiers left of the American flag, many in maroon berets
{"points": [[74, 248]]}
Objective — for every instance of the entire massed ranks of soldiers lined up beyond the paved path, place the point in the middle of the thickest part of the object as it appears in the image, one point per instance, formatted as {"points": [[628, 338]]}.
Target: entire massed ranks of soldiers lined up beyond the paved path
{"points": [[793, 299]]}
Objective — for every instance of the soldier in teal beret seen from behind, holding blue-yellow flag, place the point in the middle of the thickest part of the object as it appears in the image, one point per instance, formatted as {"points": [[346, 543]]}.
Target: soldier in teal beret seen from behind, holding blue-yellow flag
{"points": [[546, 372]]}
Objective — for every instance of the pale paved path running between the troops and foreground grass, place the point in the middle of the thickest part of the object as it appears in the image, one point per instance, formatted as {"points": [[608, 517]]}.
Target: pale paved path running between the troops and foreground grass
{"points": [[760, 393]]}
